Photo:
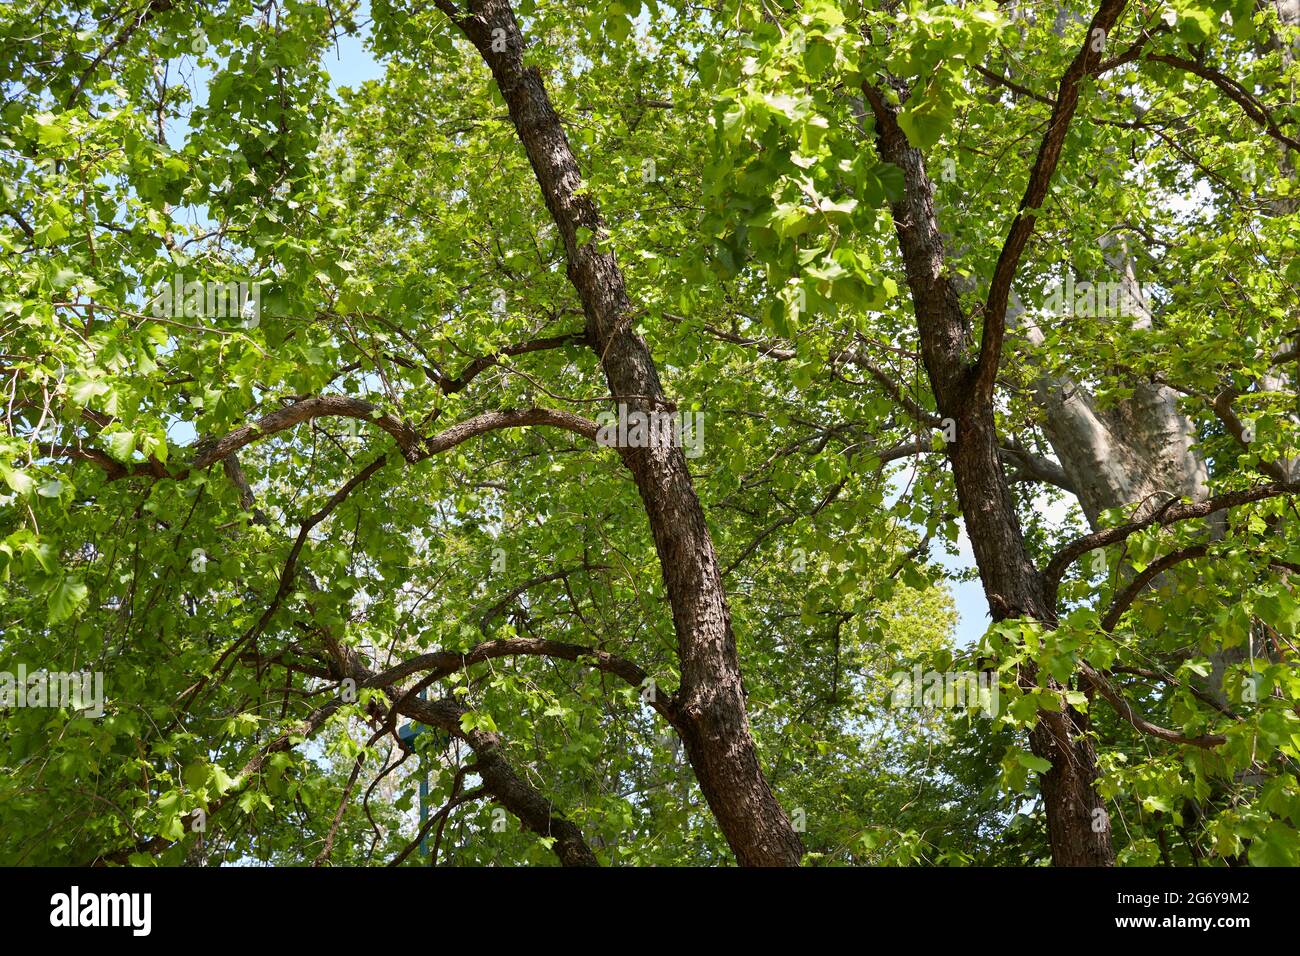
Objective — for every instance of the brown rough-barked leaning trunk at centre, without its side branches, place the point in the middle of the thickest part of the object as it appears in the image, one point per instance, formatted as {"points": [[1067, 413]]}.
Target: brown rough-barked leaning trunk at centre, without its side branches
{"points": [[713, 719]]}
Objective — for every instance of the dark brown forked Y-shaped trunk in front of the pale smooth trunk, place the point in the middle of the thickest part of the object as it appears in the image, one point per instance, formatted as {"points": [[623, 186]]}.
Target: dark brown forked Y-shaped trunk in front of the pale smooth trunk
{"points": [[964, 391]]}
